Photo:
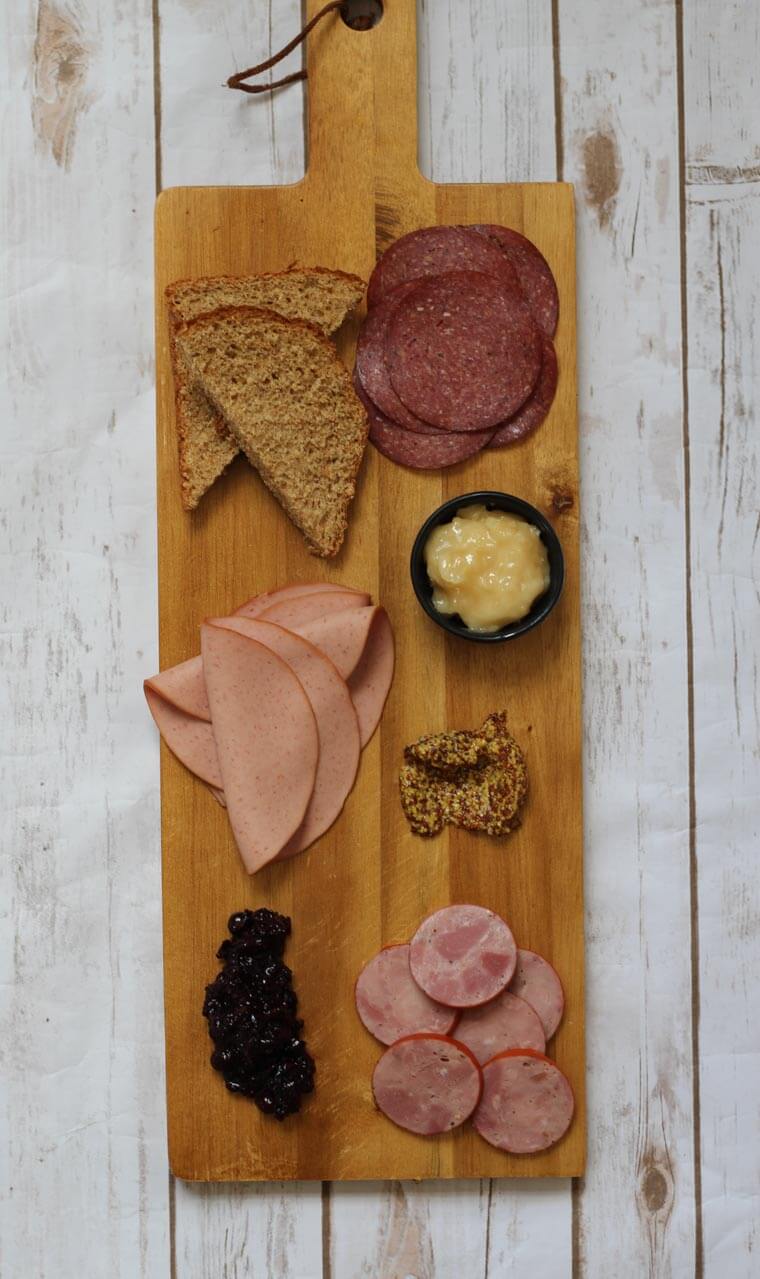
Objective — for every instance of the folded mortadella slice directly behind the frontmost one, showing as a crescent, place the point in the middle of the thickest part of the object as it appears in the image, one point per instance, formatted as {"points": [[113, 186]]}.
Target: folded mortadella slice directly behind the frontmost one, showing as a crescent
{"points": [[336, 718]]}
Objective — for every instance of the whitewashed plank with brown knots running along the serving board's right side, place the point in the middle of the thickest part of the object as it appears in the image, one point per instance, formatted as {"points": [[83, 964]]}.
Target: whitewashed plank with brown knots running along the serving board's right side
{"points": [[621, 148]]}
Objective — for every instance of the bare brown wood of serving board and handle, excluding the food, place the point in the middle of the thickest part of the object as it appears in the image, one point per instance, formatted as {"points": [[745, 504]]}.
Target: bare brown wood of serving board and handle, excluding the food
{"points": [[369, 882]]}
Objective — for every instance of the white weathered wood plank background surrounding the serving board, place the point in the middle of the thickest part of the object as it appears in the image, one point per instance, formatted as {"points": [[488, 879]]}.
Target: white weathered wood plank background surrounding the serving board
{"points": [[653, 109]]}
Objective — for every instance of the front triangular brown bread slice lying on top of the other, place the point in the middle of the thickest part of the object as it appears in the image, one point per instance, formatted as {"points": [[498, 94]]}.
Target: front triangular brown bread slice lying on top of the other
{"points": [[290, 402]]}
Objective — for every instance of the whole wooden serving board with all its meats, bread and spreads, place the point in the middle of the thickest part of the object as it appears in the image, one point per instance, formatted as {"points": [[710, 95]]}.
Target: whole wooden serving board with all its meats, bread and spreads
{"points": [[369, 691]]}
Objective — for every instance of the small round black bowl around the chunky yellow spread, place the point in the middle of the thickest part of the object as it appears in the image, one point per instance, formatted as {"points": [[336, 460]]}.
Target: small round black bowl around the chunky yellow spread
{"points": [[495, 502]]}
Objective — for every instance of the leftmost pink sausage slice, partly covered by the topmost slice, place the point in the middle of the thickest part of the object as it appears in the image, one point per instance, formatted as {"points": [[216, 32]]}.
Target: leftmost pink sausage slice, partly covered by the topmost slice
{"points": [[391, 1003]]}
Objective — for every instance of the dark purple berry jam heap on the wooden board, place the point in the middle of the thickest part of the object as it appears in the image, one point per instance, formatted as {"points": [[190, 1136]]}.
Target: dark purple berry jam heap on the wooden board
{"points": [[251, 1011]]}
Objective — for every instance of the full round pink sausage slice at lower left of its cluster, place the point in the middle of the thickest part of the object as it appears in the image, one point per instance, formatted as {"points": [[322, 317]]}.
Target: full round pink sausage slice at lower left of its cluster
{"points": [[428, 1084]]}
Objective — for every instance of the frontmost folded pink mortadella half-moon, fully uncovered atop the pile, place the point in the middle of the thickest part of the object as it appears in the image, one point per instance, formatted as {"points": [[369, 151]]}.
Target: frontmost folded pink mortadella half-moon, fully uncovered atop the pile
{"points": [[267, 739]]}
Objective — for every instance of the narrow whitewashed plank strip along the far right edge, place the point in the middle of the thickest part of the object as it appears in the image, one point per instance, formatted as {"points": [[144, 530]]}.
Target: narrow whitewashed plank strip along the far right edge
{"points": [[722, 236]]}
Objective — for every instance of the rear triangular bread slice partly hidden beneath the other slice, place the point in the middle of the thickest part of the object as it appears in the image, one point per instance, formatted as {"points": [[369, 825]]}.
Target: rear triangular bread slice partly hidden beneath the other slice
{"points": [[317, 295]]}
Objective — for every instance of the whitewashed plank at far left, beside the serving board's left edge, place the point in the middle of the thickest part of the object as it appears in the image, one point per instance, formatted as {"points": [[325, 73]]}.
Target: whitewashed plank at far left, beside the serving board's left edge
{"points": [[84, 1176]]}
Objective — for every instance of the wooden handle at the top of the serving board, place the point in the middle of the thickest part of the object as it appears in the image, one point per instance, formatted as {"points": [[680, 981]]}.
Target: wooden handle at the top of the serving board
{"points": [[363, 98]]}
